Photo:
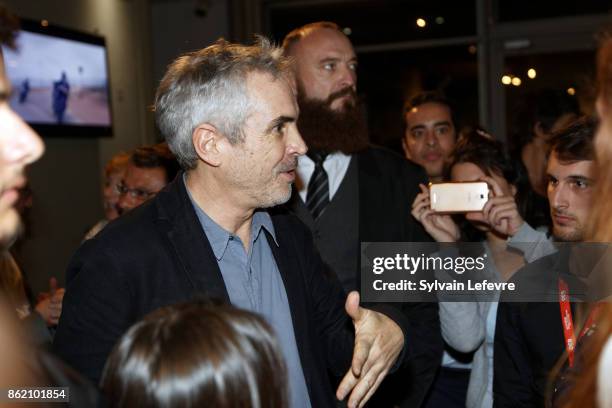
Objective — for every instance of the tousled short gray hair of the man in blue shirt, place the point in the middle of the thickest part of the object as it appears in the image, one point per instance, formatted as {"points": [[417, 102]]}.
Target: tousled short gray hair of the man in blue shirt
{"points": [[209, 86]]}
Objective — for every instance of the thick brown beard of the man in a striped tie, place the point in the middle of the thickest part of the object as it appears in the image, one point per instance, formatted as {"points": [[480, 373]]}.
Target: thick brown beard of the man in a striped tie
{"points": [[324, 129]]}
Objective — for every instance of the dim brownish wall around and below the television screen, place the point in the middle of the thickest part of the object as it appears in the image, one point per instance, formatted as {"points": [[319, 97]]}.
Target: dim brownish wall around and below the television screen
{"points": [[66, 181]]}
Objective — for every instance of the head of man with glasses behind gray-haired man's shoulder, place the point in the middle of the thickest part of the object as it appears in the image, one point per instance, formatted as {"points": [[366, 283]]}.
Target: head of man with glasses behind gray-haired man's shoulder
{"points": [[149, 169]]}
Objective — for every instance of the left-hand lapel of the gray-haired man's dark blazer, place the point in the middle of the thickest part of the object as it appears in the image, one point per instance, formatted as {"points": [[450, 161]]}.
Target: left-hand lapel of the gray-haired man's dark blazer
{"points": [[187, 238]]}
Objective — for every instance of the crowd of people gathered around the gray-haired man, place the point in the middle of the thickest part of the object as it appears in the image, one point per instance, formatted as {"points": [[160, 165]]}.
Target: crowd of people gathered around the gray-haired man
{"points": [[226, 269]]}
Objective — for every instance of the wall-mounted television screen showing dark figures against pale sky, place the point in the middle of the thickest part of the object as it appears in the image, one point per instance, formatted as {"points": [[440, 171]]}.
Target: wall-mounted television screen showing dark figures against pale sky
{"points": [[60, 81]]}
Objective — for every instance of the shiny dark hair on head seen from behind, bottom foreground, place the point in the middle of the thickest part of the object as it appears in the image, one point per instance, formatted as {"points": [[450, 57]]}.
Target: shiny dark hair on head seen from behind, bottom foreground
{"points": [[194, 355]]}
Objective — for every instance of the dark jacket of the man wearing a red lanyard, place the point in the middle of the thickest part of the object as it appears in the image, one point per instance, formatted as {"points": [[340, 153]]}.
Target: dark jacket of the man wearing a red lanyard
{"points": [[529, 336]]}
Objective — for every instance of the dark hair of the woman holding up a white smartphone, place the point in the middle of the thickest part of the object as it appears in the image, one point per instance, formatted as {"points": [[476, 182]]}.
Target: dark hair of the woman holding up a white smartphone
{"points": [[478, 147]]}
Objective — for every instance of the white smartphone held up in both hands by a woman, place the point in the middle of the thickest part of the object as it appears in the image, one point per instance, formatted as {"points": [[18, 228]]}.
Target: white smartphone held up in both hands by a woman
{"points": [[458, 197]]}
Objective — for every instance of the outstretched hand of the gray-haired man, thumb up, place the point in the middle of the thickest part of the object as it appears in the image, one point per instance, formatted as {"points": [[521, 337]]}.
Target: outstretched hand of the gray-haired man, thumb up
{"points": [[378, 343]]}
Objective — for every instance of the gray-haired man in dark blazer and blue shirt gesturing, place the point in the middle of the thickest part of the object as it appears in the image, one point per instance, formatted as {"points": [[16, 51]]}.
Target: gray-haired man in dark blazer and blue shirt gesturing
{"points": [[229, 113]]}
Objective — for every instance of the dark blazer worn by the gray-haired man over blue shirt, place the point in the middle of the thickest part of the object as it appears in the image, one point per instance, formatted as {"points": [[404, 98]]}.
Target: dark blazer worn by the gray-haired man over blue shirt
{"points": [[158, 255]]}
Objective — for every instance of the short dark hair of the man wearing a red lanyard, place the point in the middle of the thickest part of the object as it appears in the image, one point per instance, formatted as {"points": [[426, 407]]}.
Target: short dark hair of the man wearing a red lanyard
{"points": [[574, 142]]}
